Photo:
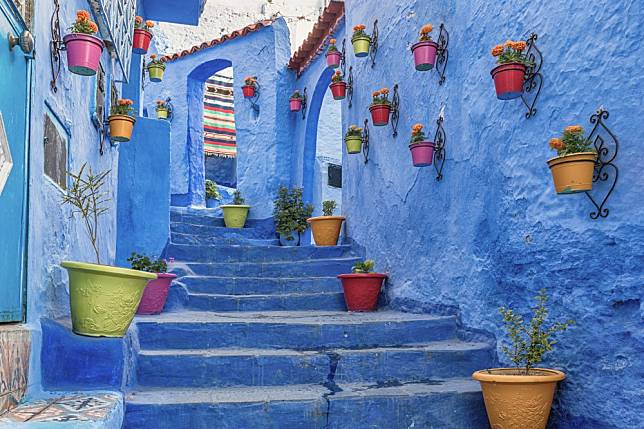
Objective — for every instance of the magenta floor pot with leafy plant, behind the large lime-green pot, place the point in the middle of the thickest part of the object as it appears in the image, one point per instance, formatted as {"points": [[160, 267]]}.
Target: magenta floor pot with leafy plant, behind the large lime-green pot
{"points": [[156, 291]]}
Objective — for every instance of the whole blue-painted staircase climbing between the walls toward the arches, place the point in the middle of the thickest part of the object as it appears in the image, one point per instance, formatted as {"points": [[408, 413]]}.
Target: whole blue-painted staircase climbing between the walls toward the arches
{"points": [[259, 337]]}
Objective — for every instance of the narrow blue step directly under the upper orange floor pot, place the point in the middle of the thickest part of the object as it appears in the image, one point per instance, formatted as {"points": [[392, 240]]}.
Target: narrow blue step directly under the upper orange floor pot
{"points": [[254, 254]]}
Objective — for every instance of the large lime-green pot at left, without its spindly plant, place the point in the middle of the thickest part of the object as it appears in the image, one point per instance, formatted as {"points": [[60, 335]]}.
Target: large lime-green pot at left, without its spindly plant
{"points": [[103, 299]]}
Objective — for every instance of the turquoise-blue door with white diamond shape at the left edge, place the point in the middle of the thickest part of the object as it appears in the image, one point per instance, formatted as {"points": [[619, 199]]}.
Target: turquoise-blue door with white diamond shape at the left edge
{"points": [[14, 120]]}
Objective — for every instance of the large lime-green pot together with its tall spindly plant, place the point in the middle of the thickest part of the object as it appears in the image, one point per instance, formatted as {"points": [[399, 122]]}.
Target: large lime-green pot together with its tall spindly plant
{"points": [[103, 299]]}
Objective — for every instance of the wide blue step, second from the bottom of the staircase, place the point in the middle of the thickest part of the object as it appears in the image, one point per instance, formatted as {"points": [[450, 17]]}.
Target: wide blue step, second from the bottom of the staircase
{"points": [[266, 367]]}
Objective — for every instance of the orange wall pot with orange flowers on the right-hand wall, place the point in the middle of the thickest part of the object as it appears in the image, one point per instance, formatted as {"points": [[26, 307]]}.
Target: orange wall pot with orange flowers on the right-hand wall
{"points": [[573, 167]]}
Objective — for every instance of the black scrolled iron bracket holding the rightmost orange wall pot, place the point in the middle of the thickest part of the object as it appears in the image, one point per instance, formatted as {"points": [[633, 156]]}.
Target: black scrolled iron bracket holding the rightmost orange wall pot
{"points": [[605, 169]]}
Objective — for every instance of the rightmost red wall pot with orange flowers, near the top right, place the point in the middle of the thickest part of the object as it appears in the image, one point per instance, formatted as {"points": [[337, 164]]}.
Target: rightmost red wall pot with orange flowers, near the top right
{"points": [[509, 75]]}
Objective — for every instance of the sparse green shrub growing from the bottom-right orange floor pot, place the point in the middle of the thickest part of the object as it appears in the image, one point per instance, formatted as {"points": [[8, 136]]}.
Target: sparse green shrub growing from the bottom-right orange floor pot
{"points": [[530, 341]]}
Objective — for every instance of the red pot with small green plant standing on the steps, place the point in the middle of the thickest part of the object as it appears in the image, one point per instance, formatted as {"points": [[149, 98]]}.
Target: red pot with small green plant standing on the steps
{"points": [[362, 287]]}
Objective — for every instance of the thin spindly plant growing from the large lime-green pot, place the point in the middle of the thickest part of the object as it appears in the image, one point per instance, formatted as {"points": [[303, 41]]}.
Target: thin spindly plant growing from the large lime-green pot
{"points": [[88, 199]]}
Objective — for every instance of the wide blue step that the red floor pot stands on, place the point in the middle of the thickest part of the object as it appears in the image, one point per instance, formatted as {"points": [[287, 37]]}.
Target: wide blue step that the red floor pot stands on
{"points": [[301, 330]]}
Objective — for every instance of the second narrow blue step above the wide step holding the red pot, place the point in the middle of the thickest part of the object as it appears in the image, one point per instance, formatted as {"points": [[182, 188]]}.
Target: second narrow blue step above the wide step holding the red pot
{"points": [[261, 285]]}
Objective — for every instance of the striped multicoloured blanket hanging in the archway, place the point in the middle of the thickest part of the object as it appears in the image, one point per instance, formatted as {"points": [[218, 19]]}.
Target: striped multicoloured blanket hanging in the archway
{"points": [[219, 117]]}
